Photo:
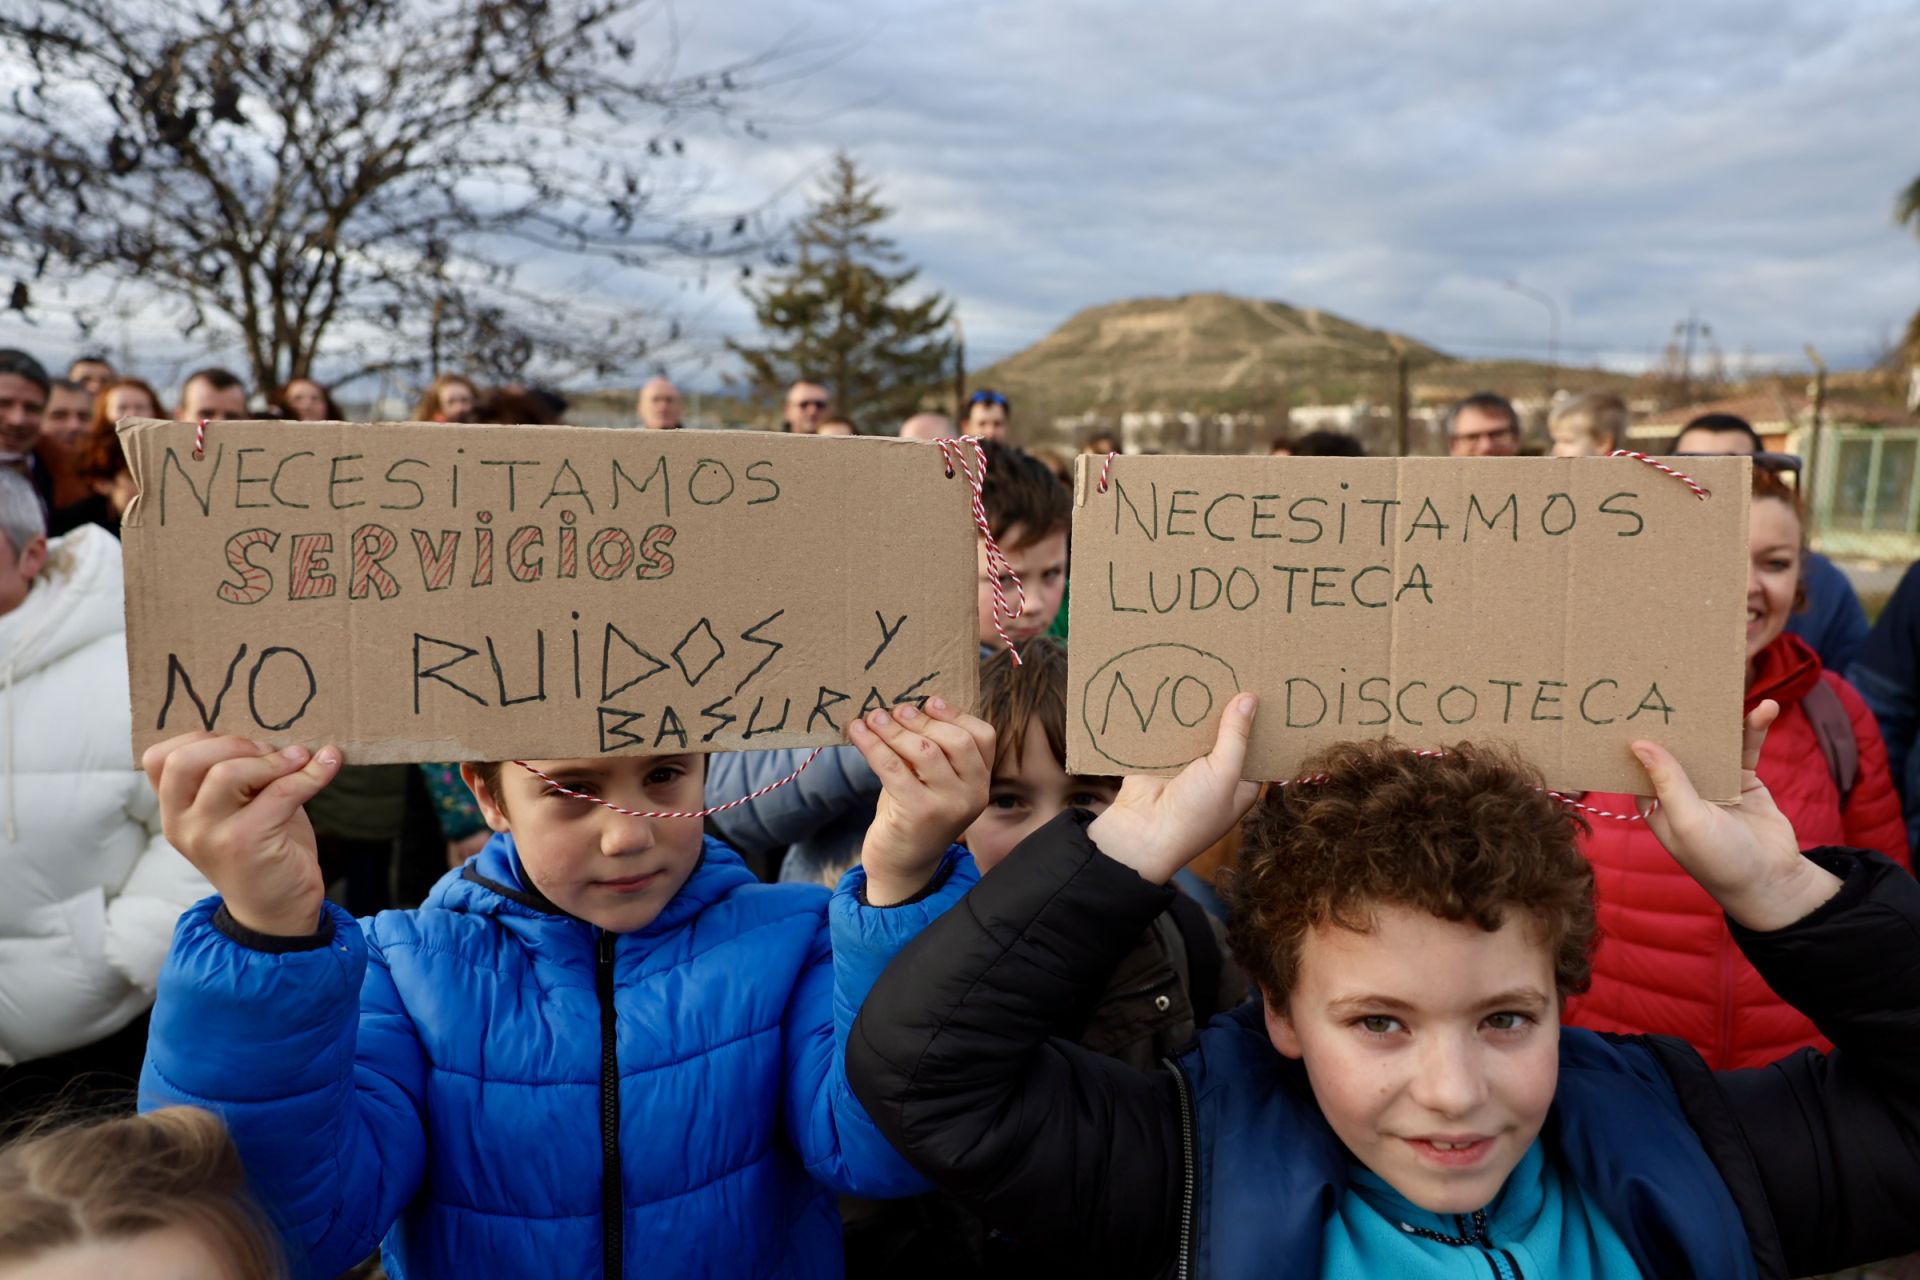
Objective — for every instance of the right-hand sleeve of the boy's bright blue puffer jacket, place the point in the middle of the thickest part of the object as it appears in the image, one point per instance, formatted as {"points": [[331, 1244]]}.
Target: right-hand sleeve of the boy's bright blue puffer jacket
{"points": [[830, 1127]]}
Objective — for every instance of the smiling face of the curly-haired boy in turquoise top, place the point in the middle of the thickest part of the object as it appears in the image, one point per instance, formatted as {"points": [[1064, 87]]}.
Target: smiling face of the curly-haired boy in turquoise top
{"points": [[1424, 1033]]}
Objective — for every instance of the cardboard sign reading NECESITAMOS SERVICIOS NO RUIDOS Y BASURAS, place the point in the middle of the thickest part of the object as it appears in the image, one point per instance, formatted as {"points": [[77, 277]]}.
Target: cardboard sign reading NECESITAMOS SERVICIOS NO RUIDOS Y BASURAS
{"points": [[420, 592]]}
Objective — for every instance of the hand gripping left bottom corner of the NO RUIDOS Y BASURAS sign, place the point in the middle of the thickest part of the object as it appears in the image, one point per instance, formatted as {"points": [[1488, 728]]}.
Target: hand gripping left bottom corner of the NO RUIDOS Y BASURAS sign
{"points": [[233, 809]]}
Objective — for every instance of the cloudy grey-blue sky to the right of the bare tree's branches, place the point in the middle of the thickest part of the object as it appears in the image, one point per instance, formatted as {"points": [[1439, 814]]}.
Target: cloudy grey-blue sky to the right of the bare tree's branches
{"points": [[1395, 162]]}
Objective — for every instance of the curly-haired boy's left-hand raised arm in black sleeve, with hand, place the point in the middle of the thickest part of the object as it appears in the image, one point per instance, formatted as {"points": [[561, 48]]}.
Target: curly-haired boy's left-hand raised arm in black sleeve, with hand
{"points": [[953, 1058]]}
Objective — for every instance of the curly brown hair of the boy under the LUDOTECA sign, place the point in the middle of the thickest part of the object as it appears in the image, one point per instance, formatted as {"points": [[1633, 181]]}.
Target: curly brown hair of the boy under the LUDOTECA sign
{"points": [[1464, 836]]}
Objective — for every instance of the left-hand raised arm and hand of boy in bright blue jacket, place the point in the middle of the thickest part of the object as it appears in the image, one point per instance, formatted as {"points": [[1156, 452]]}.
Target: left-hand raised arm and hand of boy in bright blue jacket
{"points": [[276, 1012]]}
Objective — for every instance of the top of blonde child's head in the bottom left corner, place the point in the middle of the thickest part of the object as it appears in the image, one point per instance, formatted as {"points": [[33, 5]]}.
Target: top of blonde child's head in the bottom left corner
{"points": [[137, 1198]]}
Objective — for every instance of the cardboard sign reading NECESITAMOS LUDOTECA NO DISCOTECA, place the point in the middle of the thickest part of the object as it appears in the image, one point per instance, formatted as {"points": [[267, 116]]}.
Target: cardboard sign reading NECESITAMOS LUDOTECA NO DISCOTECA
{"points": [[1562, 605]]}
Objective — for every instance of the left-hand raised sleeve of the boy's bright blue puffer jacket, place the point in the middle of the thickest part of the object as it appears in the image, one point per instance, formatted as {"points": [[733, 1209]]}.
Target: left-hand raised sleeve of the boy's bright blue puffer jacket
{"points": [[312, 1062]]}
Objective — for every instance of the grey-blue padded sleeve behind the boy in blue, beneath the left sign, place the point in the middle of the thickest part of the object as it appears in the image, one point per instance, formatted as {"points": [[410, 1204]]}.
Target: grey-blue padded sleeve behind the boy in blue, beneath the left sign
{"points": [[830, 788]]}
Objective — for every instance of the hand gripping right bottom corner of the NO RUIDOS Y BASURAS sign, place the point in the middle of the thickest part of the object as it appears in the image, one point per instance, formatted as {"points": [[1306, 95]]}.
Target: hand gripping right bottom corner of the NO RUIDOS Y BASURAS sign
{"points": [[934, 767]]}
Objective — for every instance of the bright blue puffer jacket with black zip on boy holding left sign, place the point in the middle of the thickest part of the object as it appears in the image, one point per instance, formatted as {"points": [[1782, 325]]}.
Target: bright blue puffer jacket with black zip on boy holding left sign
{"points": [[435, 1078]]}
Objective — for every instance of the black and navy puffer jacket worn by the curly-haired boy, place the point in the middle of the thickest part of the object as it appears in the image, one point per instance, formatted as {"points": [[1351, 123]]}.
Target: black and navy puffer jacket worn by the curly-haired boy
{"points": [[1817, 1156]]}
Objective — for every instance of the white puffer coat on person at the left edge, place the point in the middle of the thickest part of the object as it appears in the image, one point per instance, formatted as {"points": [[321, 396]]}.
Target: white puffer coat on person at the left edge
{"points": [[89, 888]]}
